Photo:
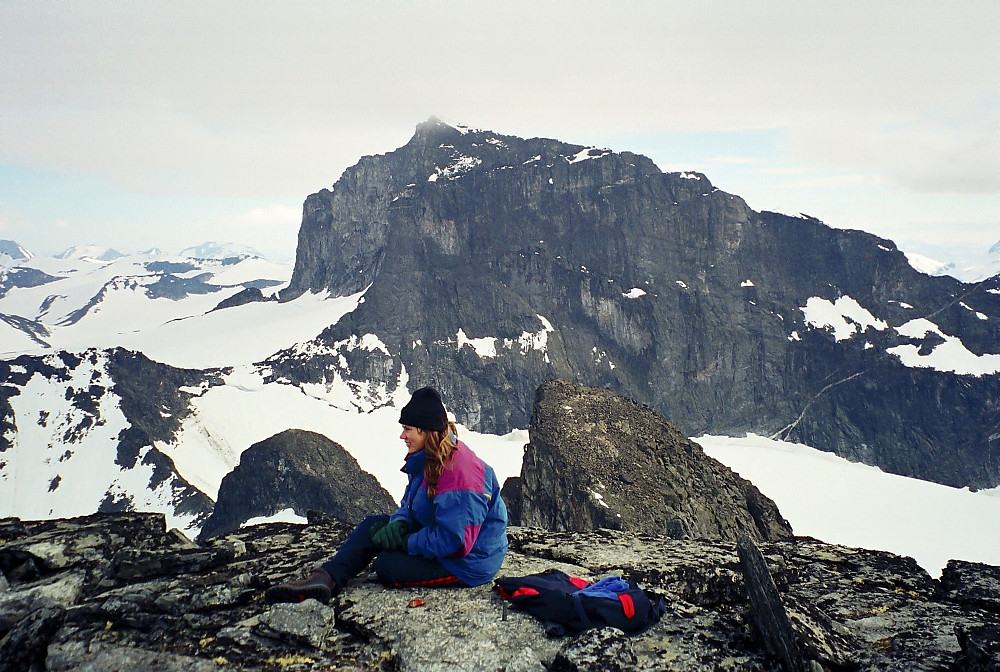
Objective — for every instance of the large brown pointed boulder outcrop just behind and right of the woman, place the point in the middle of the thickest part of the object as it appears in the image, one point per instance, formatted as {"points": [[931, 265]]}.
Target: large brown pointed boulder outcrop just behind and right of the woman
{"points": [[599, 460]]}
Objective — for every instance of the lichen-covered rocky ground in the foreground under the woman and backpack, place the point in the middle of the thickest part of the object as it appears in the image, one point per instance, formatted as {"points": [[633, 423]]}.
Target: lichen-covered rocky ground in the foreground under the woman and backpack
{"points": [[119, 592]]}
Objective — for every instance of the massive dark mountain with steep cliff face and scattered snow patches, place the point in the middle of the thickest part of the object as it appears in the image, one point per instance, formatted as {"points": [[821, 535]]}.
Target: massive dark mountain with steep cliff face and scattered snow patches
{"points": [[493, 263]]}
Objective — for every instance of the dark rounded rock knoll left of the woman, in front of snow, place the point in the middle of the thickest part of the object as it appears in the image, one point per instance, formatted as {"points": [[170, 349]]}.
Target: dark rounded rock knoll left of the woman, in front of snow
{"points": [[297, 470]]}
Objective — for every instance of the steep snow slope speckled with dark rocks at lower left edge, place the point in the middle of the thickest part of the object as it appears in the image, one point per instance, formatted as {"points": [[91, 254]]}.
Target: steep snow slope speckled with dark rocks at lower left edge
{"points": [[65, 449]]}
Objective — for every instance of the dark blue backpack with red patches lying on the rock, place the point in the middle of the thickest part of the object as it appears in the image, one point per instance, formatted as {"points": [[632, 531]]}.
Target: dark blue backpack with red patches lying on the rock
{"points": [[570, 604]]}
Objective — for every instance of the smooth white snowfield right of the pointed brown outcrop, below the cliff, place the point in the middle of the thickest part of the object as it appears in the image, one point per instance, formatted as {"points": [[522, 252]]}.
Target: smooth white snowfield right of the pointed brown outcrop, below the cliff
{"points": [[842, 502]]}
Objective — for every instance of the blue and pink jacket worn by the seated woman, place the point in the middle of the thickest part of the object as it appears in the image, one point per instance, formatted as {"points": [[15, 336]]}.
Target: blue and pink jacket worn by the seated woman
{"points": [[465, 526]]}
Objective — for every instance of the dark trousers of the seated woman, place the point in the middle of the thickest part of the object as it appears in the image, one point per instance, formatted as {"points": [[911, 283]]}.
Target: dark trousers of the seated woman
{"points": [[394, 568]]}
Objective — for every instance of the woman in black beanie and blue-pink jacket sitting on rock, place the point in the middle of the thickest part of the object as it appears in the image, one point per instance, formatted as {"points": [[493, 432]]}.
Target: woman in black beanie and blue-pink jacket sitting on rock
{"points": [[449, 531]]}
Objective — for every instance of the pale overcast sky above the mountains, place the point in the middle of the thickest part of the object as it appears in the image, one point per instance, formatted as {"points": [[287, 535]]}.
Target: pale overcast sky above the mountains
{"points": [[167, 124]]}
